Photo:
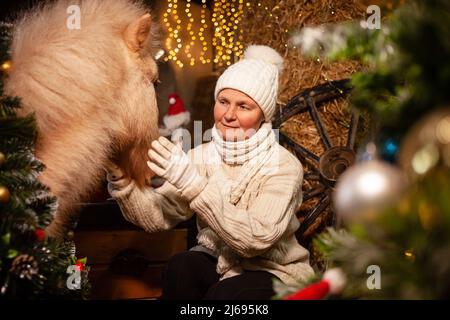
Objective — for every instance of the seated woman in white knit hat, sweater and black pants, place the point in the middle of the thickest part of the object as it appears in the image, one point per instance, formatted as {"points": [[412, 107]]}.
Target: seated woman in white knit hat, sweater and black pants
{"points": [[243, 186]]}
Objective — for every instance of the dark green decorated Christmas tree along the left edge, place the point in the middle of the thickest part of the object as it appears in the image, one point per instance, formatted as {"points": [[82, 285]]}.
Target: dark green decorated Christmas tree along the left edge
{"points": [[31, 207]]}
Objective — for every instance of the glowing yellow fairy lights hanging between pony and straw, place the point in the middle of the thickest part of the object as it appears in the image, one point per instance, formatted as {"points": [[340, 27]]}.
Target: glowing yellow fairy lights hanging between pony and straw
{"points": [[227, 45]]}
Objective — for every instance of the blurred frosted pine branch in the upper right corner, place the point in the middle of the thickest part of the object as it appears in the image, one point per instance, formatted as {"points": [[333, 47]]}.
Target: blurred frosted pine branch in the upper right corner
{"points": [[407, 62]]}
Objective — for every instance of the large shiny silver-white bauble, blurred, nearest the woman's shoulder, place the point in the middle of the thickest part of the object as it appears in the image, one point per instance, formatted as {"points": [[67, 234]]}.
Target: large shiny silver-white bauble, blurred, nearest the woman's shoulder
{"points": [[367, 188]]}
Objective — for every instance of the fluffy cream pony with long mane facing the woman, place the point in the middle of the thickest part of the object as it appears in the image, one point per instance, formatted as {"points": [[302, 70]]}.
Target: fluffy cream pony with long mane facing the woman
{"points": [[91, 90]]}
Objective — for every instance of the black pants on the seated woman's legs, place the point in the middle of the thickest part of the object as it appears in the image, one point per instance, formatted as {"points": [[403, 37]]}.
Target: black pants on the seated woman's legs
{"points": [[192, 275]]}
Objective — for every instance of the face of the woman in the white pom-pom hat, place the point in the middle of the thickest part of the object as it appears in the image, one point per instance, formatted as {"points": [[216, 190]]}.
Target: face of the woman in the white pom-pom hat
{"points": [[236, 115]]}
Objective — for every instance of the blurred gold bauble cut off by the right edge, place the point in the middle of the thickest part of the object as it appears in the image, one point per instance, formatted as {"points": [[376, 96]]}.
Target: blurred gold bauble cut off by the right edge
{"points": [[427, 144]]}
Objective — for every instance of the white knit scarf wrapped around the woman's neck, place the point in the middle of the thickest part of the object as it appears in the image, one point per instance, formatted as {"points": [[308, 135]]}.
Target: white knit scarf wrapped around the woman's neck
{"points": [[252, 153]]}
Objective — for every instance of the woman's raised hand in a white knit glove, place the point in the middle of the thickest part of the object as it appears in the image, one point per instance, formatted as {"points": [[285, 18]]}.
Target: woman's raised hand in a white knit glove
{"points": [[171, 163]]}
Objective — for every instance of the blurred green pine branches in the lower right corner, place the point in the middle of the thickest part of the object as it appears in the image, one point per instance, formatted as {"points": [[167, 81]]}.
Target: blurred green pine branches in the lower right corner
{"points": [[410, 242]]}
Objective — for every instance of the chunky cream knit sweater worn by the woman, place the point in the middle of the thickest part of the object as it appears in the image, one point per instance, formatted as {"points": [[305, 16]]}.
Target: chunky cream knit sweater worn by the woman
{"points": [[255, 234]]}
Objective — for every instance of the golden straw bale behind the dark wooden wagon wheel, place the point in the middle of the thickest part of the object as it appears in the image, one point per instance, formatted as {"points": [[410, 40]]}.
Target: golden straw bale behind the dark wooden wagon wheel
{"points": [[300, 72]]}
